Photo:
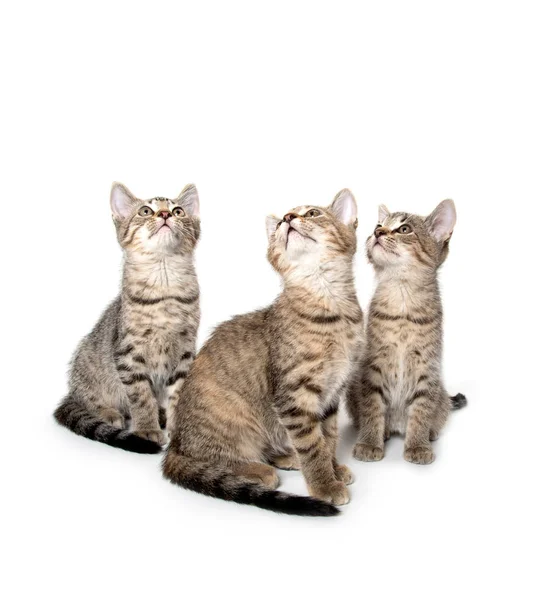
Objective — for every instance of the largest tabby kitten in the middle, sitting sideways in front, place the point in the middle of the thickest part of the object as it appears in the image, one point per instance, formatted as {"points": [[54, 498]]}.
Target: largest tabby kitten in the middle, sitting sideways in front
{"points": [[265, 389]]}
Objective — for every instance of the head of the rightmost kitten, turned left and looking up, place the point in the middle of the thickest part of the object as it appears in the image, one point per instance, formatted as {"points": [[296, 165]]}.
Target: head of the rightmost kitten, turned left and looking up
{"points": [[409, 241]]}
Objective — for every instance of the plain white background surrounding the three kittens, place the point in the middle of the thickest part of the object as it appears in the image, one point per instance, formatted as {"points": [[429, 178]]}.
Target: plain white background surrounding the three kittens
{"points": [[266, 106]]}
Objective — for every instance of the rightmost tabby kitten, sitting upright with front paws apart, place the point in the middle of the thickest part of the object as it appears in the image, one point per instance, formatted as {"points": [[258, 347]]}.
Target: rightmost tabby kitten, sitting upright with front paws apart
{"points": [[399, 388]]}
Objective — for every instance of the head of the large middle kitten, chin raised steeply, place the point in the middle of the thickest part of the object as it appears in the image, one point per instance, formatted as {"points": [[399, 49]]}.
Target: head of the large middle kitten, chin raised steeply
{"points": [[309, 235]]}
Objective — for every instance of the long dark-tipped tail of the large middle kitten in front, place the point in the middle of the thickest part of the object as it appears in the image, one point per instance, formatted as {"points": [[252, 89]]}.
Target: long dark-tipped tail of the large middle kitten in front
{"points": [[221, 483]]}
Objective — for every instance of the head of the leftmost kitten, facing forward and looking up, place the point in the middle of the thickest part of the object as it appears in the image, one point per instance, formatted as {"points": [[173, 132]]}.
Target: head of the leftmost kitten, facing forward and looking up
{"points": [[158, 225]]}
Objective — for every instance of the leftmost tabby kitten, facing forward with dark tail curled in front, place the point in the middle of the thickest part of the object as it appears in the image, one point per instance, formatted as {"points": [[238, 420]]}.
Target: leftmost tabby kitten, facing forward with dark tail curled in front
{"points": [[134, 361]]}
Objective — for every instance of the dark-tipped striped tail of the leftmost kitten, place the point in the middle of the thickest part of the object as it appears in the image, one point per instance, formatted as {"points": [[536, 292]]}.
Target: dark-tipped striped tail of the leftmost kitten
{"points": [[74, 415]]}
